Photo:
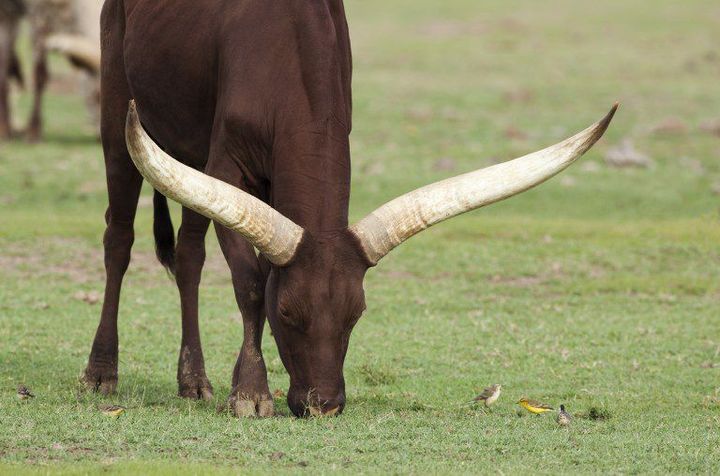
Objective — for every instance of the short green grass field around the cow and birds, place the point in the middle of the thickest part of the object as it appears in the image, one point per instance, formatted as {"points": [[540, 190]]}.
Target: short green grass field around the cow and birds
{"points": [[600, 289]]}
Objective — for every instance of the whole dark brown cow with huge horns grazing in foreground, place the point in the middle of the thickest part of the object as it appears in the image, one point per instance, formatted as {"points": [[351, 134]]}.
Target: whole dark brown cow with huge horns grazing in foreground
{"points": [[256, 94]]}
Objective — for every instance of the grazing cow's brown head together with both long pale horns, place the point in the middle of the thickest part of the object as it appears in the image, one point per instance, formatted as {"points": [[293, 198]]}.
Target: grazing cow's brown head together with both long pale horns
{"points": [[314, 294]]}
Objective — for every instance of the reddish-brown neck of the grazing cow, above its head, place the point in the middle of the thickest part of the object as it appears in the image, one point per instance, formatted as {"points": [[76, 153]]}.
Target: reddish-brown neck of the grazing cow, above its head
{"points": [[310, 169]]}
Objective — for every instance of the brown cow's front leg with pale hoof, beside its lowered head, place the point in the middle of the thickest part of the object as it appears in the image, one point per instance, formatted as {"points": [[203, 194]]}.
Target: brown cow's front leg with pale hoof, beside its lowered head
{"points": [[250, 395]]}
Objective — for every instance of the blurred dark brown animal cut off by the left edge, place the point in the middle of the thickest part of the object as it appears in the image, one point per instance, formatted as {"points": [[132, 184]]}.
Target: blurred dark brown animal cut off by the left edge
{"points": [[11, 11]]}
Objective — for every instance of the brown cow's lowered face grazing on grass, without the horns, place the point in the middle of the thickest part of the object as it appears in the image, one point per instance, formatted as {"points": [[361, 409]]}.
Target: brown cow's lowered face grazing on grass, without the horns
{"points": [[313, 302]]}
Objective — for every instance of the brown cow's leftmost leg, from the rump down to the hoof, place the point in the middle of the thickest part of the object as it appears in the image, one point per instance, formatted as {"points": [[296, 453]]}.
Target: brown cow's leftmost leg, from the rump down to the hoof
{"points": [[124, 183]]}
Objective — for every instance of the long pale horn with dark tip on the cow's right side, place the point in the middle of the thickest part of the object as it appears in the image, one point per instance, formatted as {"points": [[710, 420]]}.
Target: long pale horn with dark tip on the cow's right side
{"points": [[399, 219]]}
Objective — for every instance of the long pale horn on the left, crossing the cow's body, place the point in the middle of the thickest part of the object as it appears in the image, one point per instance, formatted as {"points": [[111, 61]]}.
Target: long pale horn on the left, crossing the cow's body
{"points": [[274, 235]]}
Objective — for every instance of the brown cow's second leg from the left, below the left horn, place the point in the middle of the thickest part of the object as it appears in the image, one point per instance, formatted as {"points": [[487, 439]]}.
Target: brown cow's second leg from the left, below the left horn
{"points": [[189, 260]]}
